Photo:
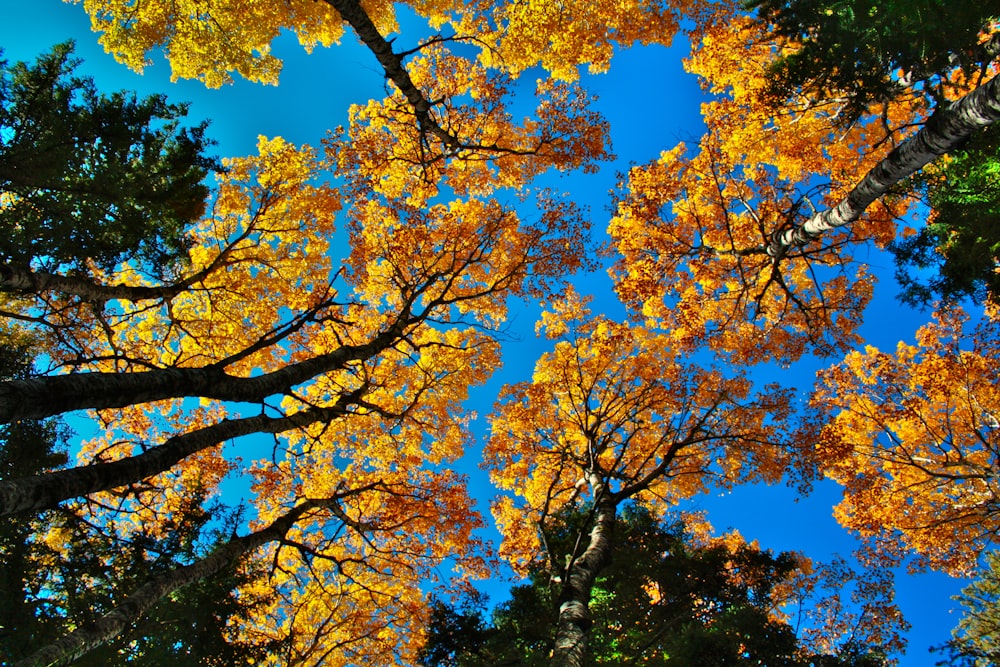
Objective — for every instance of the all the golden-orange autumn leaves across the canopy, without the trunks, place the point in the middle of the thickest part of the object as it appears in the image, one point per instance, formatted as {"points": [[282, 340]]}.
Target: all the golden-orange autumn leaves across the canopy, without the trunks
{"points": [[404, 326]]}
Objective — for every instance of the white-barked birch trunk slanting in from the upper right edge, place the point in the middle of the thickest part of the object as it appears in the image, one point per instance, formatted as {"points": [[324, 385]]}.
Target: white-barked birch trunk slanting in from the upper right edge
{"points": [[947, 128]]}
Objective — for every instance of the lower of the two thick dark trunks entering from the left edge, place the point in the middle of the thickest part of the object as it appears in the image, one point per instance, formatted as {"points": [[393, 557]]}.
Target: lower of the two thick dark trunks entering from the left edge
{"points": [[44, 491]]}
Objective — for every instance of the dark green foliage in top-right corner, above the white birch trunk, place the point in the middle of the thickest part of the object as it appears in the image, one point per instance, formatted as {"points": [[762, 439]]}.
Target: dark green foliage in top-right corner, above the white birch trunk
{"points": [[859, 49]]}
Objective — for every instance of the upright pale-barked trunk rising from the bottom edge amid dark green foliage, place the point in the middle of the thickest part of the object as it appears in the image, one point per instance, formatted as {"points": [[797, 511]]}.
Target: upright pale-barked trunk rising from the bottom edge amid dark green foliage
{"points": [[573, 626]]}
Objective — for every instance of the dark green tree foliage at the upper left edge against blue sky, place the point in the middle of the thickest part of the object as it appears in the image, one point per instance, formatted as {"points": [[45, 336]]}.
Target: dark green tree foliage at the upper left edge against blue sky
{"points": [[87, 175]]}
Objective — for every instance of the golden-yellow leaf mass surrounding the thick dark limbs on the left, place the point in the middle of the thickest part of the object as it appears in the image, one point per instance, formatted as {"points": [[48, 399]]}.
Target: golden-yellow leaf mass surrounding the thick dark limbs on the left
{"points": [[395, 336]]}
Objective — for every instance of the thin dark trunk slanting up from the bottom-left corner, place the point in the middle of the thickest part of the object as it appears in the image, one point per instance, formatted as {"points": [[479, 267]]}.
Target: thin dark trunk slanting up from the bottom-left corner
{"points": [[77, 643]]}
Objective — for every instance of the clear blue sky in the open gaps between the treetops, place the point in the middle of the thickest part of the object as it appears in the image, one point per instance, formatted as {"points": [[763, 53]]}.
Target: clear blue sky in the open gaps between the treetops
{"points": [[647, 114]]}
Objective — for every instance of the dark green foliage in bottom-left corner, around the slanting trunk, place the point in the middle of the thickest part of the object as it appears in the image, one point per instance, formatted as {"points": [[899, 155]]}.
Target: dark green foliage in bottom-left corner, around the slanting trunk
{"points": [[93, 569]]}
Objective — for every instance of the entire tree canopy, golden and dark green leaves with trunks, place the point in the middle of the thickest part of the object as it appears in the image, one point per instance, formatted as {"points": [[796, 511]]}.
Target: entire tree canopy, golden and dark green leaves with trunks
{"points": [[311, 326]]}
